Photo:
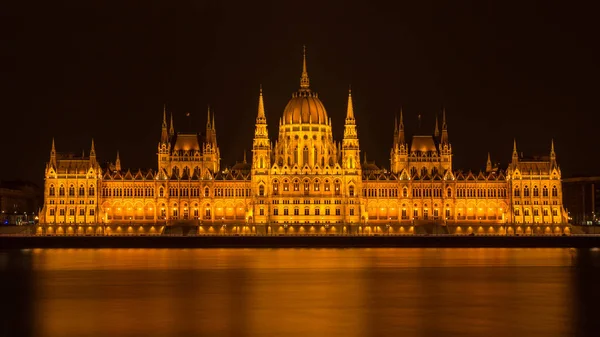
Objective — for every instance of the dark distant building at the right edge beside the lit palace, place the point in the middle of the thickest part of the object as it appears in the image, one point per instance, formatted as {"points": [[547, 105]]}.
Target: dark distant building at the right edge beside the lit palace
{"points": [[582, 200]]}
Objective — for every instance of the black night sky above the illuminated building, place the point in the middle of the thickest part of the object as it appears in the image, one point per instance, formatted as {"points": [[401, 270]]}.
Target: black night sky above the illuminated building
{"points": [[75, 70]]}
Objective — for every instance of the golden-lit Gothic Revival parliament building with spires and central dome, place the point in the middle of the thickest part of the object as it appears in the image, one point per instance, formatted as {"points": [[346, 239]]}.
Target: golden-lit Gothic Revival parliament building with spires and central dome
{"points": [[304, 183]]}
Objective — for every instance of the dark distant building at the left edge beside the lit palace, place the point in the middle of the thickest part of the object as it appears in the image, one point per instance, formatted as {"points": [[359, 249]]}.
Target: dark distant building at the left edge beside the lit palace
{"points": [[20, 202]]}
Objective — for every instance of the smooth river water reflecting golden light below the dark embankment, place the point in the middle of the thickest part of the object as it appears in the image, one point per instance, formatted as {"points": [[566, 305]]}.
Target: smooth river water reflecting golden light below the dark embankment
{"points": [[299, 292]]}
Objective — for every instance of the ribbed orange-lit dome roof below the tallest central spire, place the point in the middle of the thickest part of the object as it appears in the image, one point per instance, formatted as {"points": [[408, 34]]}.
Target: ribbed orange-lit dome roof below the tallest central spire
{"points": [[305, 107]]}
